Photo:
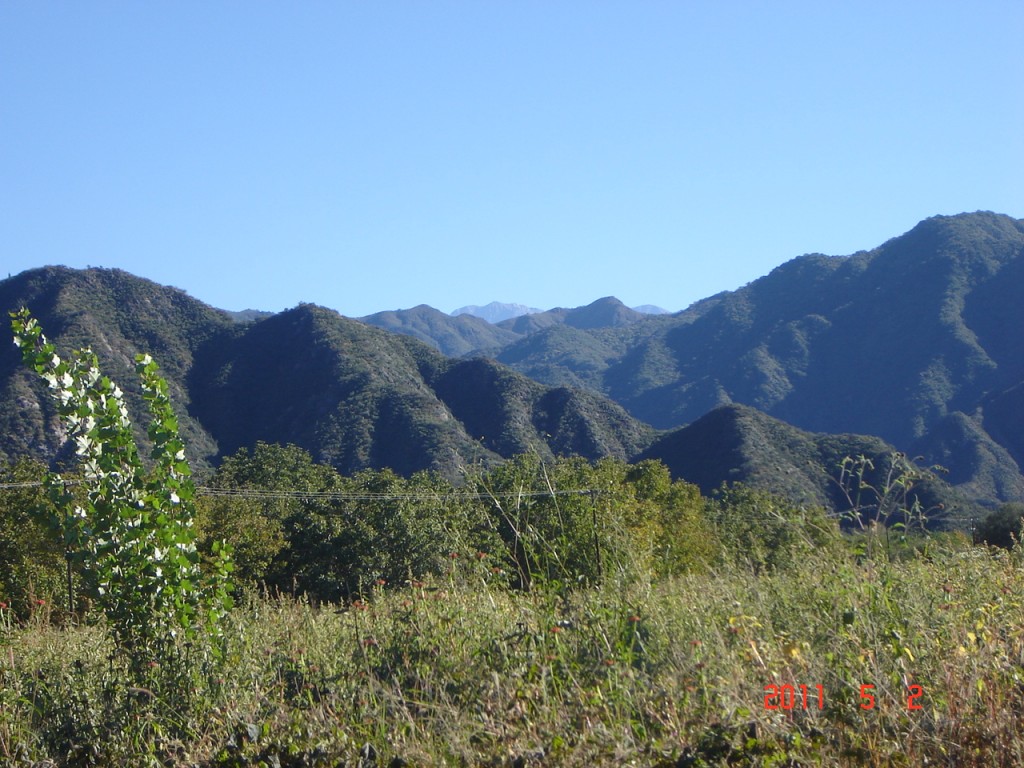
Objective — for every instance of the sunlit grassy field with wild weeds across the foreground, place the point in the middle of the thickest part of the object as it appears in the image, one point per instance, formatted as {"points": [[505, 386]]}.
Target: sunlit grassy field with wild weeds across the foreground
{"points": [[461, 671]]}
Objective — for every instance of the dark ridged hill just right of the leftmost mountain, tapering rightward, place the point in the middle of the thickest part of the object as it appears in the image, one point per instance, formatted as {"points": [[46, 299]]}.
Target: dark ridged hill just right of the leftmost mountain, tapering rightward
{"points": [[356, 397]]}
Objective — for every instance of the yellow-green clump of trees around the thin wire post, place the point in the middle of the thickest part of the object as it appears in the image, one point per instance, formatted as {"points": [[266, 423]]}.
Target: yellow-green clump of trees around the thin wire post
{"points": [[571, 523]]}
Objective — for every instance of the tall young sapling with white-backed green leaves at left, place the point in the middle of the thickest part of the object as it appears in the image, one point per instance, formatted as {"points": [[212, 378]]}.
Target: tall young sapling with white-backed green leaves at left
{"points": [[132, 535]]}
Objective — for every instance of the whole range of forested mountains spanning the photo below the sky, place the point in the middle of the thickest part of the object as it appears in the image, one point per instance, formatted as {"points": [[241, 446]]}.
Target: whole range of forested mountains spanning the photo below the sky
{"points": [[915, 346]]}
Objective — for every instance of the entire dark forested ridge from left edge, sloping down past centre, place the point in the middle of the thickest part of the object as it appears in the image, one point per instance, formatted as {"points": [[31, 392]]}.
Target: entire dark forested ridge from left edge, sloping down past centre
{"points": [[355, 397]]}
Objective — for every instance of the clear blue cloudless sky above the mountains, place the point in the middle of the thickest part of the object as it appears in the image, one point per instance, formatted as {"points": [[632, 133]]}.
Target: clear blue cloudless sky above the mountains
{"points": [[371, 156]]}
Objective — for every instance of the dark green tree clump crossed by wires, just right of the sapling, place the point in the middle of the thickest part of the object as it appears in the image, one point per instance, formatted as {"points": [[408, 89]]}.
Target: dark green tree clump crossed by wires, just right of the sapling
{"points": [[300, 527]]}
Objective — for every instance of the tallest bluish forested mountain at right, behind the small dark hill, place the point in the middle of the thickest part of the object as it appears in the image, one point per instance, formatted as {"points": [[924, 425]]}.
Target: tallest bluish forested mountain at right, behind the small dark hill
{"points": [[920, 342]]}
